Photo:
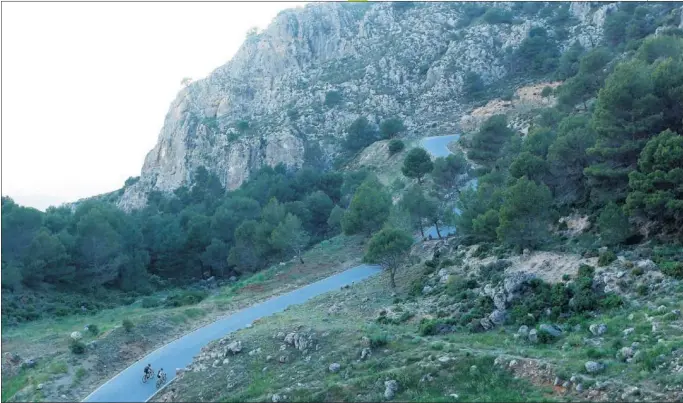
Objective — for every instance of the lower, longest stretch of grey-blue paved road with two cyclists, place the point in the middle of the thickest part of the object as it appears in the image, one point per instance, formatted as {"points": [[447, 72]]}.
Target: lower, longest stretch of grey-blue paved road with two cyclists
{"points": [[127, 386]]}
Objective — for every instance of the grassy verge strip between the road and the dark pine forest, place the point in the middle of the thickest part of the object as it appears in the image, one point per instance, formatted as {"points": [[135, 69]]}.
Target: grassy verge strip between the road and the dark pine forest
{"points": [[64, 373]]}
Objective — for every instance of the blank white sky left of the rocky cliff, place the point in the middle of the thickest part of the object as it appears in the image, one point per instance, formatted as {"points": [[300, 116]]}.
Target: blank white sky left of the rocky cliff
{"points": [[86, 86]]}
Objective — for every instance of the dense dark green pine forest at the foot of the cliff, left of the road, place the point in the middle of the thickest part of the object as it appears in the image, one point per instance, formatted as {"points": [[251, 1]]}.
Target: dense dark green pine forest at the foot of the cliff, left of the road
{"points": [[195, 232]]}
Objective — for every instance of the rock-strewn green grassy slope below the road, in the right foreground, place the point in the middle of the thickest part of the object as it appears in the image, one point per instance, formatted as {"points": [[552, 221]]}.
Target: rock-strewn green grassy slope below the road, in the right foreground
{"points": [[408, 357]]}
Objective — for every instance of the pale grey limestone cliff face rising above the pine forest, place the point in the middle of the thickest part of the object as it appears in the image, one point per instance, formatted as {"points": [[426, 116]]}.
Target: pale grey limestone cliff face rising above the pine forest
{"points": [[267, 104]]}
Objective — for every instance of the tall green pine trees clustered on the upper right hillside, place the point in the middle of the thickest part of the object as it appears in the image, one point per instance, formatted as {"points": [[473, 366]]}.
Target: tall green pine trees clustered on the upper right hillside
{"points": [[619, 156]]}
